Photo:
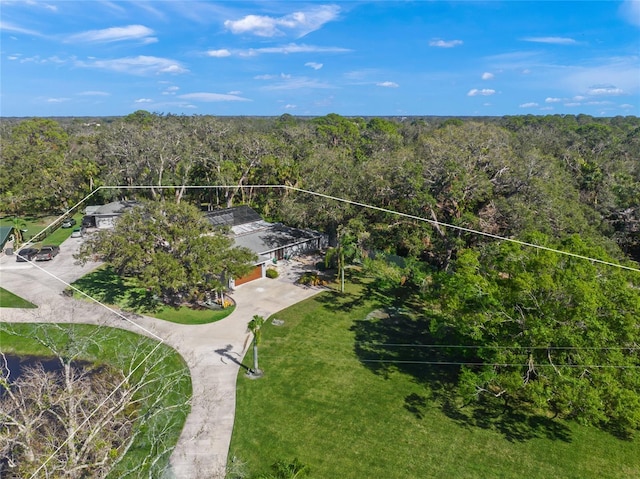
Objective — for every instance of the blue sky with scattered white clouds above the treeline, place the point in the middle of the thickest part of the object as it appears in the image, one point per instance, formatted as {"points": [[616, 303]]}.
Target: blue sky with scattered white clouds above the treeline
{"points": [[395, 58]]}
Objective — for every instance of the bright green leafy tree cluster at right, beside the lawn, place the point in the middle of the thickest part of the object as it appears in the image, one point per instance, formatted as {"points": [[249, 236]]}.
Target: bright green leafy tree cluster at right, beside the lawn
{"points": [[545, 329]]}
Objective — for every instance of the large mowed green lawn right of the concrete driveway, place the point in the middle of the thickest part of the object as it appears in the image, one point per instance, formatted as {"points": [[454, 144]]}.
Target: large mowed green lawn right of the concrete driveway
{"points": [[320, 401]]}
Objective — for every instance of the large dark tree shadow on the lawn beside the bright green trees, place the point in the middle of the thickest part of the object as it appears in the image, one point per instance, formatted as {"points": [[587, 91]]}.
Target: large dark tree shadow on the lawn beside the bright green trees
{"points": [[391, 340]]}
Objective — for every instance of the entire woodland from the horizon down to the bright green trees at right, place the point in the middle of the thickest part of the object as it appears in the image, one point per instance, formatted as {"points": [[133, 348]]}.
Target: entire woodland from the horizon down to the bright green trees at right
{"points": [[556, 332]]}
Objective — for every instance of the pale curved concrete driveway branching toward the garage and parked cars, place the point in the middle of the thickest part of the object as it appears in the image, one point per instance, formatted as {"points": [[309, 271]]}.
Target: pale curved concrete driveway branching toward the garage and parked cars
{"points": [[210, 350]]}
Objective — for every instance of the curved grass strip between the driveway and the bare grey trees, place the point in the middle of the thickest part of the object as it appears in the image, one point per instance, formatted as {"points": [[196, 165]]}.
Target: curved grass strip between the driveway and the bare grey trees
{"points": [[117, 348]]}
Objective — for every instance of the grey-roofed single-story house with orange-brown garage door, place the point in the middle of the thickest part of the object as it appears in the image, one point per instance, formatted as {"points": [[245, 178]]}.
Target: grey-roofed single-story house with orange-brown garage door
{"points": [[270, 241]]}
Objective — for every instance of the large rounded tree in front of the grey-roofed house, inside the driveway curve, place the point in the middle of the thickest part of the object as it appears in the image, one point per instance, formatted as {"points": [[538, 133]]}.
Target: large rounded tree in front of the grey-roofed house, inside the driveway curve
{"points": [[171, 249]]}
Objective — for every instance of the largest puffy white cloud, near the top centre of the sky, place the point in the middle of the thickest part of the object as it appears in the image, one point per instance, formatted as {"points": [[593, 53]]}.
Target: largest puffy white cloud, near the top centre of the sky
{"points": [[297, 23]]}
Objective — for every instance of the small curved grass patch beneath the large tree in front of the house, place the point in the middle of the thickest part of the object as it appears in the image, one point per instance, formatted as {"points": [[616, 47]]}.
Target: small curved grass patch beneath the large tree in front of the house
{"points": [[107, 287]]}
